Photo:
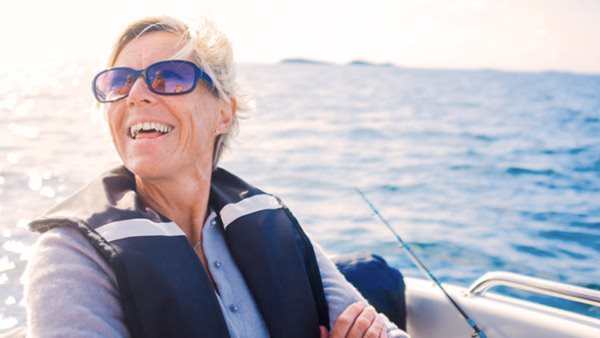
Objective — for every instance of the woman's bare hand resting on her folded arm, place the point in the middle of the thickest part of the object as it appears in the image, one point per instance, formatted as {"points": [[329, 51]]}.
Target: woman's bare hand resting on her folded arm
{"points": [[358, 320]]}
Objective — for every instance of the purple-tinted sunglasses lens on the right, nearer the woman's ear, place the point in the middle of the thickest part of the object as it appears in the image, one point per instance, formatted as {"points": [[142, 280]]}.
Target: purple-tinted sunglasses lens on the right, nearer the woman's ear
{"points": [[171, 77]]}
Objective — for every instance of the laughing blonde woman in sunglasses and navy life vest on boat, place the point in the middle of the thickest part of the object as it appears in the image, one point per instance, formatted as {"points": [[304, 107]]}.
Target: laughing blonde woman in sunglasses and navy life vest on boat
{"points": [[121, 256]]}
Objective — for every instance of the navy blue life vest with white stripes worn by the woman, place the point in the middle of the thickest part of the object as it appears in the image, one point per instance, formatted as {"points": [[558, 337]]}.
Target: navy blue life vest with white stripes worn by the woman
{"points": [[164, 289]]}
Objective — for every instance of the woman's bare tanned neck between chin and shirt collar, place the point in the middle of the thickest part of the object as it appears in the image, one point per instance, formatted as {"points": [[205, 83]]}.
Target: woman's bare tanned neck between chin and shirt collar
{"points": [[182, 198]]}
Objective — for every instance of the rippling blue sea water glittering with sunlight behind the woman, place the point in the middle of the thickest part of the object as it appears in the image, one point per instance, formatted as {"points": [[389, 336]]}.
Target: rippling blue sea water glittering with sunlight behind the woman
{"points": [[477, 170]]}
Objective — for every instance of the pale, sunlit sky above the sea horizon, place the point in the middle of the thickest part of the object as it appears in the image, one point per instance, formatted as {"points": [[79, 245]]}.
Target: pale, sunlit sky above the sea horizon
{"points": [[525, 35]]}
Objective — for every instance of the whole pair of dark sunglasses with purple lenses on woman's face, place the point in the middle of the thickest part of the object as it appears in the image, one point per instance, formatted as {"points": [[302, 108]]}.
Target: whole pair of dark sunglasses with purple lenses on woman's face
{"points": [[169, 77]]}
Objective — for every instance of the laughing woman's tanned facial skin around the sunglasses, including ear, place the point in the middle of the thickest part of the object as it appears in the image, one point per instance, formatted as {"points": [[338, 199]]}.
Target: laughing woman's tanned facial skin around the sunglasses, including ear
{"points": [[193, 118]]}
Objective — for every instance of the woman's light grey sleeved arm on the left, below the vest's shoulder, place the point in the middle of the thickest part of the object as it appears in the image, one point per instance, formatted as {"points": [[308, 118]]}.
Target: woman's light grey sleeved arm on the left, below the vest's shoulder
{"points": [[70, 291]]}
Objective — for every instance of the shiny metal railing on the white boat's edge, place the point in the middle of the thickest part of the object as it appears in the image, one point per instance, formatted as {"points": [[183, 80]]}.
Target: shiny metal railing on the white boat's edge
{"points": [[535, 285]]}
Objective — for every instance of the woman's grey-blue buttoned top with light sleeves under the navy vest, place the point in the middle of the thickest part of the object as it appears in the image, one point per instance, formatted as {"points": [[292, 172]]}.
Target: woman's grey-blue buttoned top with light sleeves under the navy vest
{"points": [[70, 290]]}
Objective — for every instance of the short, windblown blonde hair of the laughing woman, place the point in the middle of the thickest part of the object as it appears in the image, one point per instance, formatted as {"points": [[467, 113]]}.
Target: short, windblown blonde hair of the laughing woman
{"points": [[210, 49]]}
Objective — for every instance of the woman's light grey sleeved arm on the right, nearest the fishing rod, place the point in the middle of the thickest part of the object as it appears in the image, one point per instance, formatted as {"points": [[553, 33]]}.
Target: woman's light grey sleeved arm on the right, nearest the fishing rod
{"points": [[342, 297]]}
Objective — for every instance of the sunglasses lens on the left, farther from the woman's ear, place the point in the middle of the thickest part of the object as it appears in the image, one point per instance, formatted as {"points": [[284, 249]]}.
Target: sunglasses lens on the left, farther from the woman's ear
{"points": [[113, 84]]}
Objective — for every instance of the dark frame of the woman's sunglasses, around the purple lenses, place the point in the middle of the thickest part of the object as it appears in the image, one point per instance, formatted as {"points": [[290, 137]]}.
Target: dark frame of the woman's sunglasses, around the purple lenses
{"points": [[198, 74]]}
